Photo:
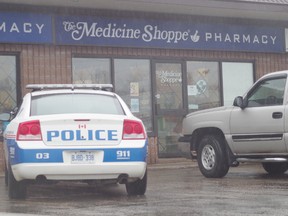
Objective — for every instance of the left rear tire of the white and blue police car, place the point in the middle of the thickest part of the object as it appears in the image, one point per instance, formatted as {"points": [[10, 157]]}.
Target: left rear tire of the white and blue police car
{"points": [[16, 189]]}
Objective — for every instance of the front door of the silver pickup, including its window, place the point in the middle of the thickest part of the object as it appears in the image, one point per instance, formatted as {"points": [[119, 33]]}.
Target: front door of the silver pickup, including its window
{"points": [[259, 128]]}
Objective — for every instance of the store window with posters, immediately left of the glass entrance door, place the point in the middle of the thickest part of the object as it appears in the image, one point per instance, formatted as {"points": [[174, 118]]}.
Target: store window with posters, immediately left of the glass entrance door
{"points": [[133, 84]]}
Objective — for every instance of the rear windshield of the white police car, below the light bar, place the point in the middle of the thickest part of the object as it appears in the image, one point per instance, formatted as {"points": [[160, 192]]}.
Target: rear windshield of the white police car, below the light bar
{"points": [[75, 103]]}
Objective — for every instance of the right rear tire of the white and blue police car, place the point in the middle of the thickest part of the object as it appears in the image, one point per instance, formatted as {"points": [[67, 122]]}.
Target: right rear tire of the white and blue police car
{"points": [[138, 187]]}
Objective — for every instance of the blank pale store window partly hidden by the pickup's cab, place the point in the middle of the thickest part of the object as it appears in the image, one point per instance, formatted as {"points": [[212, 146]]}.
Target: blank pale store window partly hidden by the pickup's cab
{"points": [[237, 78]]}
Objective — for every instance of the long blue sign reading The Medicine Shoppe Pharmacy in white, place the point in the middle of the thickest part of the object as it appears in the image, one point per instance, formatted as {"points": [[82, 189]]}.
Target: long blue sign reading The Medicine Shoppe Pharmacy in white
{"points": [[168, 34]]}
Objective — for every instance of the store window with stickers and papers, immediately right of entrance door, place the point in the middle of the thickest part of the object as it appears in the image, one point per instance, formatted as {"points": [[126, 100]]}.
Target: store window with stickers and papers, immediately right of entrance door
{"points": [[203, 85]]}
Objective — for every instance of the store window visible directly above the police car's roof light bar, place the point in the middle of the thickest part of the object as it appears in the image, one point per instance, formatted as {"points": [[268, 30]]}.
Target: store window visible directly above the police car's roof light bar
{"points": [[91, 70]]}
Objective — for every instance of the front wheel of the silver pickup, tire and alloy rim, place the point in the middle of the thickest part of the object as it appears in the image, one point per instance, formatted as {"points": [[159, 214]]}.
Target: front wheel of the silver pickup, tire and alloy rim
{"points": [[211, 157]]}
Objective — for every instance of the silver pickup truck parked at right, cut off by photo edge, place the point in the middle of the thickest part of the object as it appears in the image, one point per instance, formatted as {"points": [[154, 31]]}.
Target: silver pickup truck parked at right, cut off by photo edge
{"points": [[254, 129]]}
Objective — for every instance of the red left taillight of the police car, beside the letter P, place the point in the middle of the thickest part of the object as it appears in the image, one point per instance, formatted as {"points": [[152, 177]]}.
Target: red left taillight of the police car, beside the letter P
{"points": [[29, 131]]}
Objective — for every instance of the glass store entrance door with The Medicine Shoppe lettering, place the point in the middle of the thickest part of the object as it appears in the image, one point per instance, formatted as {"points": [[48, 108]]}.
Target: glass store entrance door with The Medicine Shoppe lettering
{"points": [[169, 107]]}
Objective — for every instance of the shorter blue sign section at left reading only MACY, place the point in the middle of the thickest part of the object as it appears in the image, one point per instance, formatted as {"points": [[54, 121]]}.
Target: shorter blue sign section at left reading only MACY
{"points": [[25, 28]]}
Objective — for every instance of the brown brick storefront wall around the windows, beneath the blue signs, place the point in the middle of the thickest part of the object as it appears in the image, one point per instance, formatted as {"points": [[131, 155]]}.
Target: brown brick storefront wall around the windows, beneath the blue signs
{"points": [[53, 64]]}
